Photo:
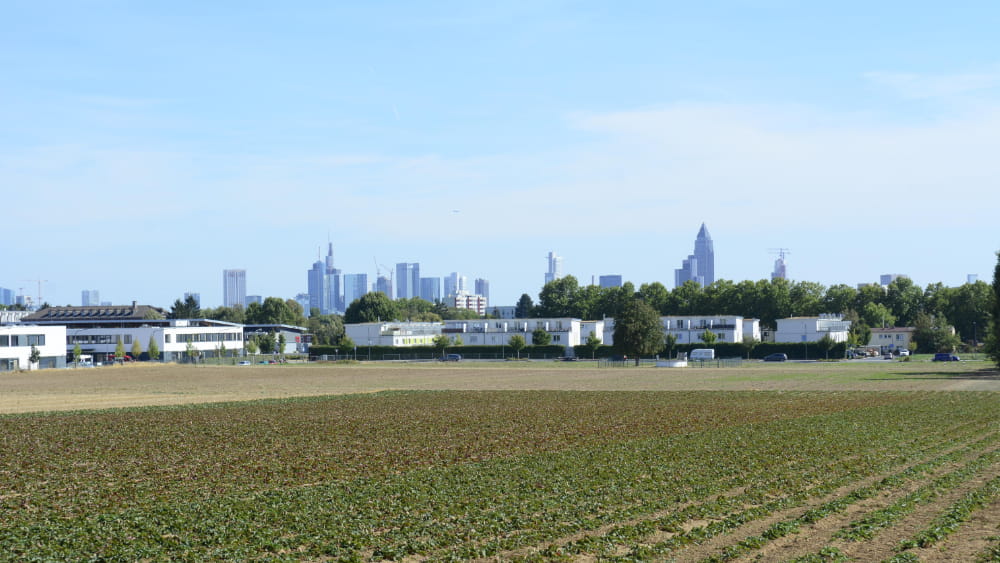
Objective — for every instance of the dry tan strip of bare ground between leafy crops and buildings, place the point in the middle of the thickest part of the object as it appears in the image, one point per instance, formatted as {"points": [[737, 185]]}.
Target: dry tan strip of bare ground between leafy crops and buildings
{"points": [[170, 384]]}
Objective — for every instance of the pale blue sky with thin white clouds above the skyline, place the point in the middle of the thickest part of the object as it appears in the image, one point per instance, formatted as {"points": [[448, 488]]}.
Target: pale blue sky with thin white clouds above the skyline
{"points": [[147, 146]]}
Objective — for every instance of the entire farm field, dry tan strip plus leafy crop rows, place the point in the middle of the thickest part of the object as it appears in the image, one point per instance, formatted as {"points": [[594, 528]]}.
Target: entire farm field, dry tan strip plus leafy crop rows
{"points": [[797, 462]]}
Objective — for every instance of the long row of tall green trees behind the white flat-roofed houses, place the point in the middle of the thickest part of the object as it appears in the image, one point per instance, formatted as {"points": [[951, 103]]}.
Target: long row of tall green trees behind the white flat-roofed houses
{"points": [[967, 308]]}
